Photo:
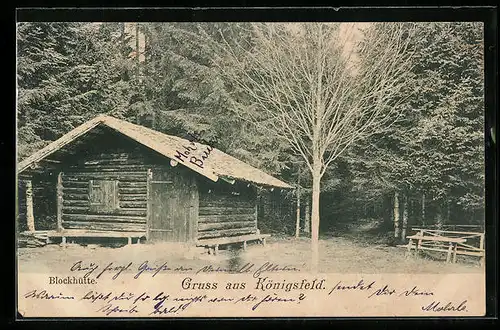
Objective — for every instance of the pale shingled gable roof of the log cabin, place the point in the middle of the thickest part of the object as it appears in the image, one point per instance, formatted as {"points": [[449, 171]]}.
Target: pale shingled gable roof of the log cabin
{"points": [[217, 164]]}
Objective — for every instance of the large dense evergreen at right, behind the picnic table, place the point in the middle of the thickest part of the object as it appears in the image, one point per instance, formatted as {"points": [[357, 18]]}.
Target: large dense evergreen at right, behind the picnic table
{"points": [[436, 148]]}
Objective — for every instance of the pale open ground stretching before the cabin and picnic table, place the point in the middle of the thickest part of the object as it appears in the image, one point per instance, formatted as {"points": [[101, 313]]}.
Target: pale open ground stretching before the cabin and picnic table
{"points": [[343, 251]]}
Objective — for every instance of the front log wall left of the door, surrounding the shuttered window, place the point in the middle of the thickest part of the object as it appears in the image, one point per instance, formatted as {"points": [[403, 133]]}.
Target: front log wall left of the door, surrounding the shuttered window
{"points": [[129, 169]]}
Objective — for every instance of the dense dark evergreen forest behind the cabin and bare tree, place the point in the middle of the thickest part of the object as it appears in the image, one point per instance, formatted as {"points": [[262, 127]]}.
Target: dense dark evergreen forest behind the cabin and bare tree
{"points": [[427, 169]]}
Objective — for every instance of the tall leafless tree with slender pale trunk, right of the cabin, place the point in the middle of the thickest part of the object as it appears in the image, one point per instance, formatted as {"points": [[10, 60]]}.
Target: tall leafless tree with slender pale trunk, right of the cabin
{"points": [[319, 86]]}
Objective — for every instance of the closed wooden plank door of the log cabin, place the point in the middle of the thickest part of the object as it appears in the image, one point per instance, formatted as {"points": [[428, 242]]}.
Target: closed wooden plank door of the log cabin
{"points": [[167, 217]]}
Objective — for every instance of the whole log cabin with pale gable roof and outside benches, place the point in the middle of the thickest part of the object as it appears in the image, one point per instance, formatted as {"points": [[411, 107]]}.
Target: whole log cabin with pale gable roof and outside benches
{"points": [[109, 178]]}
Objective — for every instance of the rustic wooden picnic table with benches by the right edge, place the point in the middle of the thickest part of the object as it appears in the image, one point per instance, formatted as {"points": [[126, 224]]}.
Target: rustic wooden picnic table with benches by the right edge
{"points": [[450, 242]]}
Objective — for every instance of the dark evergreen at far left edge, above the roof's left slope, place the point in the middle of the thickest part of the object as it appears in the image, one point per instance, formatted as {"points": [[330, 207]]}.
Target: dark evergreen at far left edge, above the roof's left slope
{"points": [[44, 52]]}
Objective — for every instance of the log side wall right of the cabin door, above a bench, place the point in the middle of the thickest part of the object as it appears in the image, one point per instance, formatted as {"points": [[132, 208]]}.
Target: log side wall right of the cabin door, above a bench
{"points": [[223, 214]]}
